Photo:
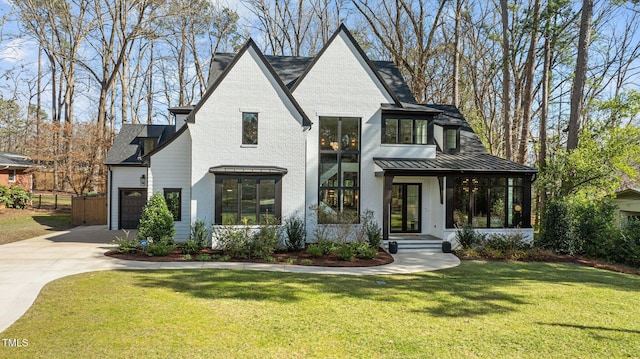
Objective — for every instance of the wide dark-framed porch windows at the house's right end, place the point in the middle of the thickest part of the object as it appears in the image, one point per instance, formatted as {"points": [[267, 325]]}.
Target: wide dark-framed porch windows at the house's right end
{"points": [[488, 202]]}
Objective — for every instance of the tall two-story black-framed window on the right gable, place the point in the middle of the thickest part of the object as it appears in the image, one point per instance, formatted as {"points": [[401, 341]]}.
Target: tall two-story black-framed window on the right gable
{"points": [[339, 174]]}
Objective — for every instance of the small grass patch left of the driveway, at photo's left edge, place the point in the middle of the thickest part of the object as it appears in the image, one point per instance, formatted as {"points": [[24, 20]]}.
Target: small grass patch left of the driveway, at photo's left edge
{"points": [[16, 225]]}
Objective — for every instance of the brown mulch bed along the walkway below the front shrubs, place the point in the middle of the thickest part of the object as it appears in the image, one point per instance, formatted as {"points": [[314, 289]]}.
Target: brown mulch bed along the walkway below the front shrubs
{"points": [[329, 260]]}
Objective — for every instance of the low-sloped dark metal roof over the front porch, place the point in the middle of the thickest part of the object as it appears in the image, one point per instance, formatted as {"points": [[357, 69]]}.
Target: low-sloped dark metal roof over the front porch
{"points": [[447, 163]]}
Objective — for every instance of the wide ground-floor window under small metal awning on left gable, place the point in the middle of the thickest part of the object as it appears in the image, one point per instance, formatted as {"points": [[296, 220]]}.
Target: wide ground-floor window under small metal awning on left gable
{"points": [[247, 199]]}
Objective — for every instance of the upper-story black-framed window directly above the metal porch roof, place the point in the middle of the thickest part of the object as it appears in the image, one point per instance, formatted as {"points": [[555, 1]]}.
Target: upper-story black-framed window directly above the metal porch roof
{"points": [[405, 130]]}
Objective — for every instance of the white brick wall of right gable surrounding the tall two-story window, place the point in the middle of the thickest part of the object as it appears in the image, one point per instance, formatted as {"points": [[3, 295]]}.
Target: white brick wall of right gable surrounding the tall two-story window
{"points": [[341, 84]]}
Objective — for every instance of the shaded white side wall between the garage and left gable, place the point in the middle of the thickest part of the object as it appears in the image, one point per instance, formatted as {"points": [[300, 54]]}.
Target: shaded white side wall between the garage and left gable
{"points": [[171, 168]]}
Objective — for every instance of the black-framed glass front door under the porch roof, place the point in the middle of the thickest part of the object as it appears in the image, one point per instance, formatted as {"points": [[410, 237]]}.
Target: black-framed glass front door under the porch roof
{"points": [[405, 207]]}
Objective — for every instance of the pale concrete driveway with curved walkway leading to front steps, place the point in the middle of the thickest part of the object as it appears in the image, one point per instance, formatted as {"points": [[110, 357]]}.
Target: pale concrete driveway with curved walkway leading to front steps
{"points": [[26, 266]]}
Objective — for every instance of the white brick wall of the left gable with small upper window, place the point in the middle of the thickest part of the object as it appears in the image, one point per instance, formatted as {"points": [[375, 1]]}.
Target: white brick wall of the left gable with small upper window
{"points": [[217, 135]]}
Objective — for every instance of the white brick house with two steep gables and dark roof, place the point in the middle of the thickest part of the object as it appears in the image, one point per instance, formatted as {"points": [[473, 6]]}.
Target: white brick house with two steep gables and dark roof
{"points": [[339, 132]]}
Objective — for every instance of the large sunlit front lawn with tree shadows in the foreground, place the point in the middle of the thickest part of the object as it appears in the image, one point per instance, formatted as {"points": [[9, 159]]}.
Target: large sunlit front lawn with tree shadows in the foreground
{"points": [[479, 309]]}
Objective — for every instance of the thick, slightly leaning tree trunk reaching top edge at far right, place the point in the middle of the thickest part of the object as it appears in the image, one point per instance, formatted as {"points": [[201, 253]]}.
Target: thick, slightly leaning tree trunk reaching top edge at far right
{"points": [[577, 90]]}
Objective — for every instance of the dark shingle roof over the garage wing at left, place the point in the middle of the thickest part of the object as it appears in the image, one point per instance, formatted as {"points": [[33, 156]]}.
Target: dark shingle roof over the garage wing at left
{"points": [[126, 148]]}
